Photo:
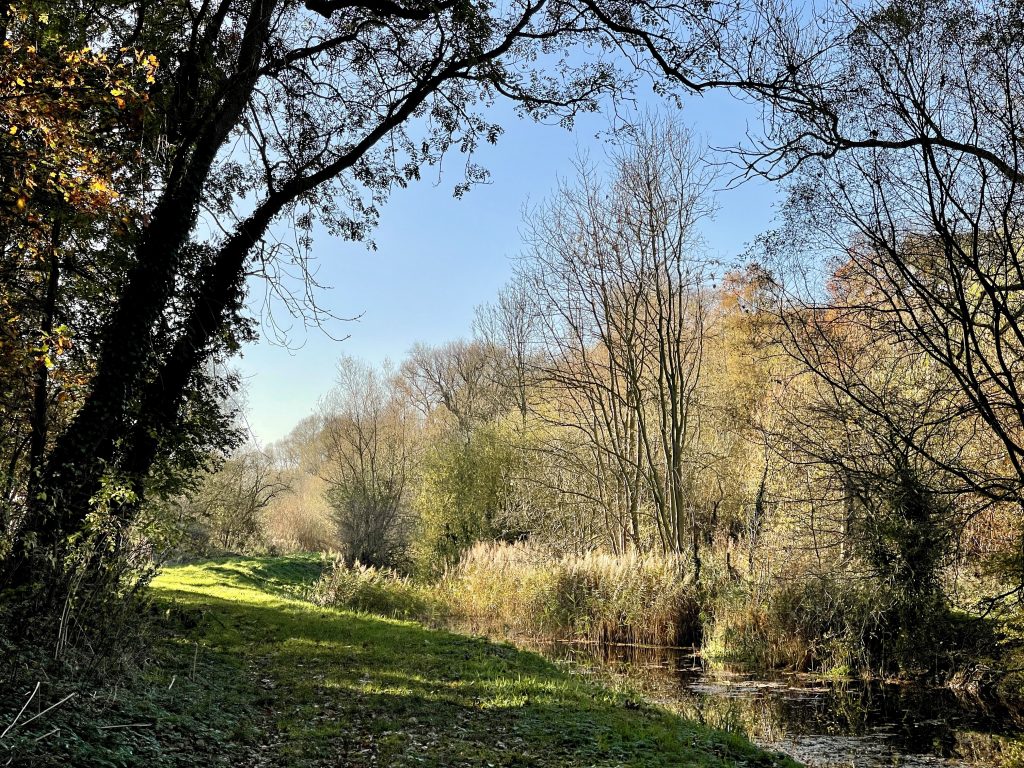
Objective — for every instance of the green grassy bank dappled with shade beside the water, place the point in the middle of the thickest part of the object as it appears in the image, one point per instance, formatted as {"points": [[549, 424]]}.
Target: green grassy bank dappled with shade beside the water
{"points": [[270, 679]]}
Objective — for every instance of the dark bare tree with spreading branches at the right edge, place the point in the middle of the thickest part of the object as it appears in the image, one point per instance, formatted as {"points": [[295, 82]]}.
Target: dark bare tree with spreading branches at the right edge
{"points": [[898, 127]]}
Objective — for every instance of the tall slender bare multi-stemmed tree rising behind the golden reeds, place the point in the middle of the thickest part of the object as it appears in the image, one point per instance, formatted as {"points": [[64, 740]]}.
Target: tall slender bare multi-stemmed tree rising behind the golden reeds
{"points": [[620, 283]]}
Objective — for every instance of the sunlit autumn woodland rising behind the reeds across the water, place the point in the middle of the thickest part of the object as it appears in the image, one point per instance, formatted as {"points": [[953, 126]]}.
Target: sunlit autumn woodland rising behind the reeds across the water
{"points": [[769, 424]]}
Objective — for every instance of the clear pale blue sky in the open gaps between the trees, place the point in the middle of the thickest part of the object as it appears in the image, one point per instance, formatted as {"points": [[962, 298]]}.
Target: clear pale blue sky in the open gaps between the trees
{"points": [[439, 258]]}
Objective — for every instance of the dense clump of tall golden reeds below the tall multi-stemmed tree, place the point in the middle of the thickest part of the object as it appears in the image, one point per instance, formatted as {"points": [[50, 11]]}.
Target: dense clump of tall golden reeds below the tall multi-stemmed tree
{"points": [[525, 590]]}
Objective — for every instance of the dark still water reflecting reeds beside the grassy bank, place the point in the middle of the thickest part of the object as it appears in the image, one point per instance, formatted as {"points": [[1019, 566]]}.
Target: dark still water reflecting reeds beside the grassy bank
{"points": [[824, 723]]}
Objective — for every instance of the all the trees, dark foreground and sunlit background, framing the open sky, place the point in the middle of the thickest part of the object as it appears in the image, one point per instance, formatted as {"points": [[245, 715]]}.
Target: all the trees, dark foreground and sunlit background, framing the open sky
{"points": [[842, 403]]}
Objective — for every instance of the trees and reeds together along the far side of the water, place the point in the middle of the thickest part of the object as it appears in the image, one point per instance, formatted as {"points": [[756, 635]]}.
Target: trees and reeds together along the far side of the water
{"points": [[641, 444]]}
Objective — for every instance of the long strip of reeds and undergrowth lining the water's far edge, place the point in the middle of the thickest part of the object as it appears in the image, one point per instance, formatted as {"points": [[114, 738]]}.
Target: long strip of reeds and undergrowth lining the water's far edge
{"points": [[804, 621]]}
